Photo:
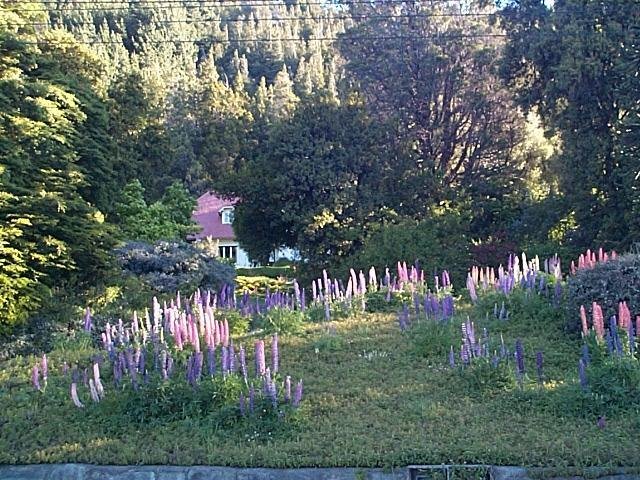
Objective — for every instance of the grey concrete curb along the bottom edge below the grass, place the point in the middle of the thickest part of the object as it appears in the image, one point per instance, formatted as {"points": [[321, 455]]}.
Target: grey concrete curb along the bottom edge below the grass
{"points": [[74, 471]]}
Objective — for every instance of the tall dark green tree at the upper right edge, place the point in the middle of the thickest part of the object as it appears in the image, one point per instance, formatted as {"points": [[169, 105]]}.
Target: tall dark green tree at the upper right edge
{"points": [[571, 64]]}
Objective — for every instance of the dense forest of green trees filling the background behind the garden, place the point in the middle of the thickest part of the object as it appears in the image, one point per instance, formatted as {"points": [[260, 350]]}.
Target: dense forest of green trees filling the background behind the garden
{"points": [[359, 132]]}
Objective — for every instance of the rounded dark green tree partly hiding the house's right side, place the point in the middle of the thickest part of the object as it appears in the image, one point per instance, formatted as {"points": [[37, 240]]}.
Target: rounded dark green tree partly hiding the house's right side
{"points": [[315, 184]]}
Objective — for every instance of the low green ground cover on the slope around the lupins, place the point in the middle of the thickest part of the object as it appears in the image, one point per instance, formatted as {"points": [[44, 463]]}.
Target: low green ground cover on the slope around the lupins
{"points": [[374, 396]]}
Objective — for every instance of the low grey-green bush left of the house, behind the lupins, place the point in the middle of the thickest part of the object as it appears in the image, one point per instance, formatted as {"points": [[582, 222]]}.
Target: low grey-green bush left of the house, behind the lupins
{"points": [[168, 267]]}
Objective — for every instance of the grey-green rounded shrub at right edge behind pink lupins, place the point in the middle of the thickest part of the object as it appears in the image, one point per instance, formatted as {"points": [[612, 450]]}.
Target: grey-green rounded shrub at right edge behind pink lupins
{"points": [[607, 283]]}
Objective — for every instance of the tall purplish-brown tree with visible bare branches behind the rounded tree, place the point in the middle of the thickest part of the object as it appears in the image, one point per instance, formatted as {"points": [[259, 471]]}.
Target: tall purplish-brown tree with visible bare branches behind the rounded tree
{"points": [[450, 114]]}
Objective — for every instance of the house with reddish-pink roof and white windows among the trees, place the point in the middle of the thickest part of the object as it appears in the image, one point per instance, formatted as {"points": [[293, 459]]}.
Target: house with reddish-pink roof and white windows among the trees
{"points": [[215, 215]]}
